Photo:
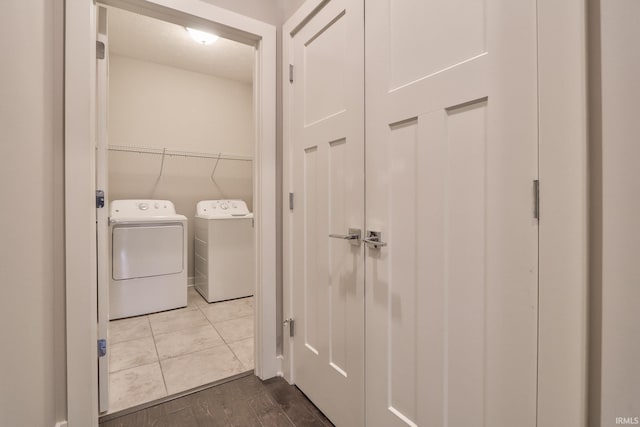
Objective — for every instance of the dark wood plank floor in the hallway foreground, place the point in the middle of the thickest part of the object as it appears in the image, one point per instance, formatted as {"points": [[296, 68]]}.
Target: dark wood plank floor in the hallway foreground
{"points": [[246, 401]]}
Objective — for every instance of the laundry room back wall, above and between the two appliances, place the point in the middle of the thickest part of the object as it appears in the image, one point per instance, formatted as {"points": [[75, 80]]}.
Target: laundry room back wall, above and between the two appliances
{"points": [[159, 106]]}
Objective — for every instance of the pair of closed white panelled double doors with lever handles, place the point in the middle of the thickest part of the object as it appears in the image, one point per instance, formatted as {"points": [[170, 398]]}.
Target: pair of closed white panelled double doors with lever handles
{"points": [[450, 296]]}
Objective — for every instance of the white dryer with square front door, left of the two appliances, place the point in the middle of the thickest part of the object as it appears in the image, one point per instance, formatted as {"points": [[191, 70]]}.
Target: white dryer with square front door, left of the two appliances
{"points": [[148, 258]]}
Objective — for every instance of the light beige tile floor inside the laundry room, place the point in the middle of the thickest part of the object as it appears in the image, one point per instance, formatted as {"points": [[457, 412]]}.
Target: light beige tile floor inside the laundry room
{"points": [[161, 354]]}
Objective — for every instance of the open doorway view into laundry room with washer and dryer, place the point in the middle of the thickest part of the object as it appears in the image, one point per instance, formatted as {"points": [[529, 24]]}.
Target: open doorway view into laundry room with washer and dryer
{"points": [[174, 164]]}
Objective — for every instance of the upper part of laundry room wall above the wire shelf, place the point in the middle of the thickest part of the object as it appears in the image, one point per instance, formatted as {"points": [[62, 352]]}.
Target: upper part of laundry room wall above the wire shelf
{"points": [[161, 106]]}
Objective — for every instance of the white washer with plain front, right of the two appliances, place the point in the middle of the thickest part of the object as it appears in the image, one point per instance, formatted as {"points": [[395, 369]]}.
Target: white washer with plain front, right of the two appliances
{"points": [[224, 250]]}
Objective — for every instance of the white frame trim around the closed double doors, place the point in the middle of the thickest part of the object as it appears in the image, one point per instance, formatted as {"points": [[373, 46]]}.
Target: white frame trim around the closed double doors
{"points": [[562, 341]]}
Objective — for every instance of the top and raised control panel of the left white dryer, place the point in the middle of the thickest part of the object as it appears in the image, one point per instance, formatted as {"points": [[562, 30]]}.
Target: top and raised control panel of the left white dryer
{"points": [[143, 210]]}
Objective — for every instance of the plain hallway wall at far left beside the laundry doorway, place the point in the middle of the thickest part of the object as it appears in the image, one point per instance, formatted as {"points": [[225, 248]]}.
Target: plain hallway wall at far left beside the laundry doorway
{"points": [[32, 362]]}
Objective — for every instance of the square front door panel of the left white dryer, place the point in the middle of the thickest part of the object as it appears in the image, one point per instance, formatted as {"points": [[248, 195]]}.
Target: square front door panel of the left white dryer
{"points": [[147, 250]]}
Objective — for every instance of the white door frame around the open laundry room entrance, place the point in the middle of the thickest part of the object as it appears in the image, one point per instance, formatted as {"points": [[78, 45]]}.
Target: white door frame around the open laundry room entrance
{"points": [[80, 245]]}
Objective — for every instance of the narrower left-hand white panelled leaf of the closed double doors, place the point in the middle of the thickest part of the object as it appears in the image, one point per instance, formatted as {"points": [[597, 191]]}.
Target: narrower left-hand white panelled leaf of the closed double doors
{"points": [[328, 184]]}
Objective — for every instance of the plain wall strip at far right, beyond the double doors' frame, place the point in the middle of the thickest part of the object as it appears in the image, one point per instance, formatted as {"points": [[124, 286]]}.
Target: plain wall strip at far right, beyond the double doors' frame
{"points": [[615, 226]]}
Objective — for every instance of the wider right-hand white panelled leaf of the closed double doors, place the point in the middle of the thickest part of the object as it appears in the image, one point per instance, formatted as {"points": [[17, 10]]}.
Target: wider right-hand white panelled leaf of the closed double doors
{"points": [[451, 125]]}
